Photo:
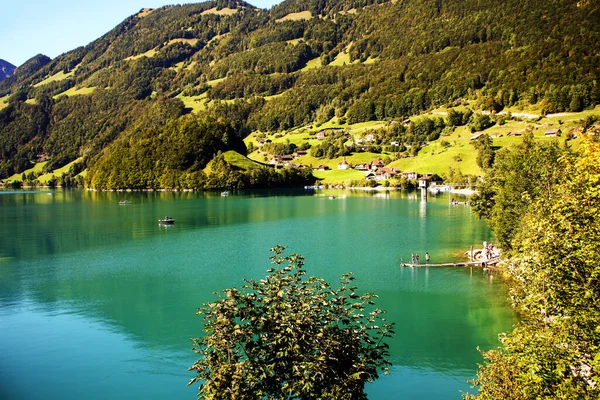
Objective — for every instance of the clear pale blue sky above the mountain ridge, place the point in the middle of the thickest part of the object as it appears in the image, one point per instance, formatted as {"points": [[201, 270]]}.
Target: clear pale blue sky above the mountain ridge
{"points": [[53, 27]]}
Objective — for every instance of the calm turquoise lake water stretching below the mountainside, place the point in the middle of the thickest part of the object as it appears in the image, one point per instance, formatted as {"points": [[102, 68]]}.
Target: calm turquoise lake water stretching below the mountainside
{"points": [[97, 301]]}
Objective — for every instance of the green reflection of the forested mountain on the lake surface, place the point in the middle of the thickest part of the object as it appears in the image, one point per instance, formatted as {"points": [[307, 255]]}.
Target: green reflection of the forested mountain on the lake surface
{"points": [[112, 265]]}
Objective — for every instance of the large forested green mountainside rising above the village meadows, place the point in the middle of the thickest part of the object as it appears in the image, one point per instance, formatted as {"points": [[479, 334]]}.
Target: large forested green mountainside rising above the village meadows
{"points": [[168, 89]]}
